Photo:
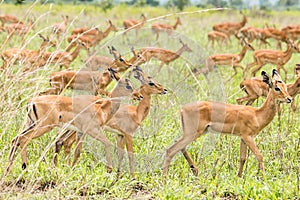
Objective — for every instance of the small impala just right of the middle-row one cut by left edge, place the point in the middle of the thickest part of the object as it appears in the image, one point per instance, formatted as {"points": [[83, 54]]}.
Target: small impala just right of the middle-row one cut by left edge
{"points": [[62, 58]]}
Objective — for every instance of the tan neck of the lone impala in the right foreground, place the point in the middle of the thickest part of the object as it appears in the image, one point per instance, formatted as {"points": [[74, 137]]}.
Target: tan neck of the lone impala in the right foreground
{"points": [[267, 111]]}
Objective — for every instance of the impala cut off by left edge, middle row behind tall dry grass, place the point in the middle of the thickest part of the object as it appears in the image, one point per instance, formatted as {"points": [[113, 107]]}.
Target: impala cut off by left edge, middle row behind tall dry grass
{"points": [[27, 56]]}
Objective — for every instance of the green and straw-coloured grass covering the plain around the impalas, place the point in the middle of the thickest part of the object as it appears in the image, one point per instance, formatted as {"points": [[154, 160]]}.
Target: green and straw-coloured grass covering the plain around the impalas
{"points": [[216, 156]]}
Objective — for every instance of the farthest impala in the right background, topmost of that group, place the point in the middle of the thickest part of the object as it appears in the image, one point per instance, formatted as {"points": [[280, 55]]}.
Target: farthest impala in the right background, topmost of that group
{"points": [[230, 28]]}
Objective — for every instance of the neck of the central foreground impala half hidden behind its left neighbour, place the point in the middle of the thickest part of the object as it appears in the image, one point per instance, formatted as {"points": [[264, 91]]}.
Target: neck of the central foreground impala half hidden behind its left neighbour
{"points": [[143, 107]]}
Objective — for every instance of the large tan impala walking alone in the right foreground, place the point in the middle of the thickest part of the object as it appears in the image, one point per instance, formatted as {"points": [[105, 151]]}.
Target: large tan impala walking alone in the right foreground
{"points": [[244, 121]]}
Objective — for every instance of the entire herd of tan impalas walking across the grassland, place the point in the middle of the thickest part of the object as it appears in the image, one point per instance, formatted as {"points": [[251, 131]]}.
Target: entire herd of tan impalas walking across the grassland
{"points": [[93, 114]]}
